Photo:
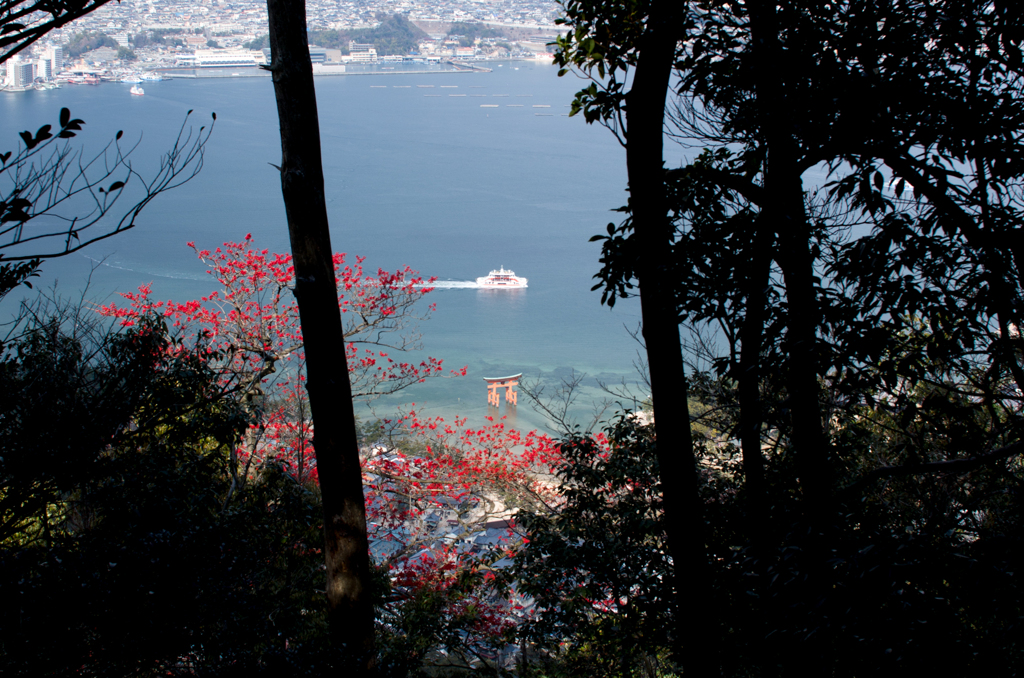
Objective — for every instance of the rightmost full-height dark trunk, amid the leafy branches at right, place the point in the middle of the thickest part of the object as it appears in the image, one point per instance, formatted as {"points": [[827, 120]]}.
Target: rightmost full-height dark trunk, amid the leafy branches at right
{"points": [[785, 210]]}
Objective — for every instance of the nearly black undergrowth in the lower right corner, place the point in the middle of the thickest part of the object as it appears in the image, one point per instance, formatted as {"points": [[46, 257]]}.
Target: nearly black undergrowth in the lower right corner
{"points": [[916, 573]]}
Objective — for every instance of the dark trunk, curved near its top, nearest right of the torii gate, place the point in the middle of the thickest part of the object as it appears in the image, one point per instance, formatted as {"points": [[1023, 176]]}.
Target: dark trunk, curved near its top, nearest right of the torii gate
{"points": [[697, 632]]}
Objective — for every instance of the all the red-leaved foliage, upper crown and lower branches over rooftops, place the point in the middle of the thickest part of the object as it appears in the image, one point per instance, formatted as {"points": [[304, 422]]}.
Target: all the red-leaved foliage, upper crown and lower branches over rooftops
{"points": [[440, 494]]}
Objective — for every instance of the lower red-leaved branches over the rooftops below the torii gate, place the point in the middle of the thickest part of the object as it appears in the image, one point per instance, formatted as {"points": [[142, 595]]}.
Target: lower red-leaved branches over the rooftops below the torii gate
{"points": [[441, 497]]}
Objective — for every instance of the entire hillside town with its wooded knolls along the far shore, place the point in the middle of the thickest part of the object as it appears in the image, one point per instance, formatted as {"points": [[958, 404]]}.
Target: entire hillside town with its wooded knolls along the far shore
{"points": [[141, 40]]}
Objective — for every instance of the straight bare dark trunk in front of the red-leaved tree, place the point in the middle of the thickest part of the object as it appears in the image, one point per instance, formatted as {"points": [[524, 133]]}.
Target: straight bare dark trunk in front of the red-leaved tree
{"points": [[347, 548]]}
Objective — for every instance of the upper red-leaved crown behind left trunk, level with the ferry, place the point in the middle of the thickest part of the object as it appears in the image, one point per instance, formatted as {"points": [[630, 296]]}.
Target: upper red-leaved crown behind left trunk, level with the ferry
{"points": [[253, 320]]}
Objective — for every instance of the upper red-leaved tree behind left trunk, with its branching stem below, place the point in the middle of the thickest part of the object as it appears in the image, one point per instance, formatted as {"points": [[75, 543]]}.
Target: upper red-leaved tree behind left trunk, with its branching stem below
{"points": [[251, 329]]}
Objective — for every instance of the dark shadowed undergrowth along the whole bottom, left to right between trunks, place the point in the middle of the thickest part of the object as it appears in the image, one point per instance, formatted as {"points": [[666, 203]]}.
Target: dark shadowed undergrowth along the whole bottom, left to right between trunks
{"points": [[126, 550]]}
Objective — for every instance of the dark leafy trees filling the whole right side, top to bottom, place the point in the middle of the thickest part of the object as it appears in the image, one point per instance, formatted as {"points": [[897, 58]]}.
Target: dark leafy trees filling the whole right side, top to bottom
{"points": [[889, 290]]}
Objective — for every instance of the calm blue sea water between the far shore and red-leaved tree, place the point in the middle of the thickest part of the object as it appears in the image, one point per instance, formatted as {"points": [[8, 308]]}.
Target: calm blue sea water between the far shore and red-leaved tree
{"points": [[415, 176]]}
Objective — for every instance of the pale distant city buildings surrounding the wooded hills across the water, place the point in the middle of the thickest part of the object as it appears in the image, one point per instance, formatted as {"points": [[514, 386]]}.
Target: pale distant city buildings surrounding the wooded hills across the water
{"points": [[165, 34]]}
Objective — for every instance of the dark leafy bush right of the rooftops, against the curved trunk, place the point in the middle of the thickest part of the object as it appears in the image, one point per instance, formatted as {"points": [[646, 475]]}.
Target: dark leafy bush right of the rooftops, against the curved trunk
{"points": [[598, 568]]}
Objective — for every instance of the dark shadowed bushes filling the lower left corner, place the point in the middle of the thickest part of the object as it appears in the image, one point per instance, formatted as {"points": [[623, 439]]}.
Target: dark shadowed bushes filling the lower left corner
{"points": [[124, 552]]}
